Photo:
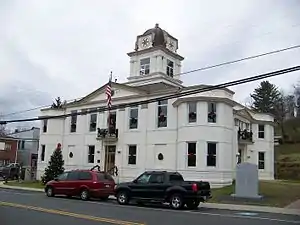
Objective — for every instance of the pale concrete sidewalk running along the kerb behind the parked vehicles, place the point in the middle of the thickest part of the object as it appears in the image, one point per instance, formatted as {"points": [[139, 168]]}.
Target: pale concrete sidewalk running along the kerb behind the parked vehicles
{"points": [[288, 210]]}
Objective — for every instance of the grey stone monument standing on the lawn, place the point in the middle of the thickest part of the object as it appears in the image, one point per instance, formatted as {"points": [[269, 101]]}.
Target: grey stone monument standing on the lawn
{"points": [[246, 182]]}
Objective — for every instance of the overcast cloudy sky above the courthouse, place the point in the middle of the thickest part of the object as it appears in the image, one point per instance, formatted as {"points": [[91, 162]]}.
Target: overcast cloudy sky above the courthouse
{"points": [[67, 48]]}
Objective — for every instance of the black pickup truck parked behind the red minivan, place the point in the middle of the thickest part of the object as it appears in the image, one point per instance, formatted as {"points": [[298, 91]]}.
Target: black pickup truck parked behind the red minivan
{"points": [[163, 187]]}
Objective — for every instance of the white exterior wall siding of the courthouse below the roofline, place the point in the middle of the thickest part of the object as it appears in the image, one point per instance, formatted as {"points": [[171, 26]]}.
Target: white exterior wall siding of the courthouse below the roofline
{"points": [[170, 141]]}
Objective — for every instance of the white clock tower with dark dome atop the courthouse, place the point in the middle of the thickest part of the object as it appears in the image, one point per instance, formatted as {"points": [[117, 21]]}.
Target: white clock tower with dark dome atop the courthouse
{"points": [[155, 59]]}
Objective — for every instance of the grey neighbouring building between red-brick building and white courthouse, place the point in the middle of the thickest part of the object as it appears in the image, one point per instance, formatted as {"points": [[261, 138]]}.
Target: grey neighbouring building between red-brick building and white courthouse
{"points": [[28, 145]]}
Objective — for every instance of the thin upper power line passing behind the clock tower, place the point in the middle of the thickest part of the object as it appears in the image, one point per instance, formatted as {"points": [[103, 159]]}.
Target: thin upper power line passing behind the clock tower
{"points": [[183, 73]]}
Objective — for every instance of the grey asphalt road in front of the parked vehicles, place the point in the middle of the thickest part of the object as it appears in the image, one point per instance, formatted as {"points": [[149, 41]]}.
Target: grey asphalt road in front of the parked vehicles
{"points": [[31, 208]]}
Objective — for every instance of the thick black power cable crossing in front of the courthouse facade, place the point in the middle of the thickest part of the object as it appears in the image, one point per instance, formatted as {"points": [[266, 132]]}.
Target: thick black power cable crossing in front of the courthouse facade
{"points": [[166, 97]]}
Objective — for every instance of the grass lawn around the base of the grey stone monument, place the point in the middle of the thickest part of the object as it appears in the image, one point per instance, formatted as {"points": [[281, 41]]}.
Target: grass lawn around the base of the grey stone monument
{"points": [[276, 193]]}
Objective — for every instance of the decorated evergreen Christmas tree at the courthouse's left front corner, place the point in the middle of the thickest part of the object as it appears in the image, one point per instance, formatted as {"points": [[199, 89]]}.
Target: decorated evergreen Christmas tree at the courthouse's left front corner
{"points": [[55, 165]]}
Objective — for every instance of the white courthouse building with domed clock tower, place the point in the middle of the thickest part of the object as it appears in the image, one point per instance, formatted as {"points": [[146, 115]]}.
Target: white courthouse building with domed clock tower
{"points": [[203, 136]]}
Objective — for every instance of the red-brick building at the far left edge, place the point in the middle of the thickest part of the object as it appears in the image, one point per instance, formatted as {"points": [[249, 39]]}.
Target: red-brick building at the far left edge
{"points": [[8, 148]]}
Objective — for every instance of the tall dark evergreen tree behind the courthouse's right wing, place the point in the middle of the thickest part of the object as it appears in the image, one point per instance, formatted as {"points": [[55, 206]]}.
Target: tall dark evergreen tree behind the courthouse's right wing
{"points": [[266, 97]]}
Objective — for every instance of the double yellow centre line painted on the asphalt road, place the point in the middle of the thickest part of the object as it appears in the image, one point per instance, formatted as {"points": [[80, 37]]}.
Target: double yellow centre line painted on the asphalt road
{"points": [[75, 215]]}
